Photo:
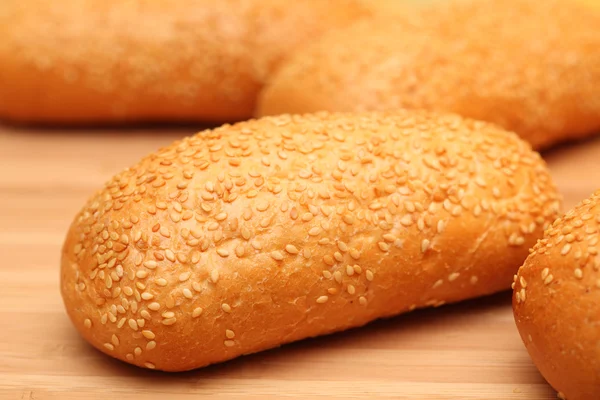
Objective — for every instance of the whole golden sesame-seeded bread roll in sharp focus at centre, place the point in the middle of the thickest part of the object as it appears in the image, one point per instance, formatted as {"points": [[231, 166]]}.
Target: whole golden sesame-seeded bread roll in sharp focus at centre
{"points": [[253, 235]]}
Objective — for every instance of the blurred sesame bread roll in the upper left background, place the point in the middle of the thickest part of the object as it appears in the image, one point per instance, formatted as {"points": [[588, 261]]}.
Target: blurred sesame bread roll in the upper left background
{"points": [[107, 61]]}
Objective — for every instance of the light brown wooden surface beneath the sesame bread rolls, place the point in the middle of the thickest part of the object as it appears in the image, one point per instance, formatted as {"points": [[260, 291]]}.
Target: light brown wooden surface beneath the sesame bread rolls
{"points": [[466, 351]]}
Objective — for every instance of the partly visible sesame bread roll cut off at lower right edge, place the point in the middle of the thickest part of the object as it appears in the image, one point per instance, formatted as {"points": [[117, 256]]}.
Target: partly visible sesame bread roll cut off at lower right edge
{"points": [[556, 303]]}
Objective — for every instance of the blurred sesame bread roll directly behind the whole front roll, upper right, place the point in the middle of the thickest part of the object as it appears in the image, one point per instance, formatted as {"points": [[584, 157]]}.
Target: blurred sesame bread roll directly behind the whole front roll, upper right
{"points": [[532, 67]]}
